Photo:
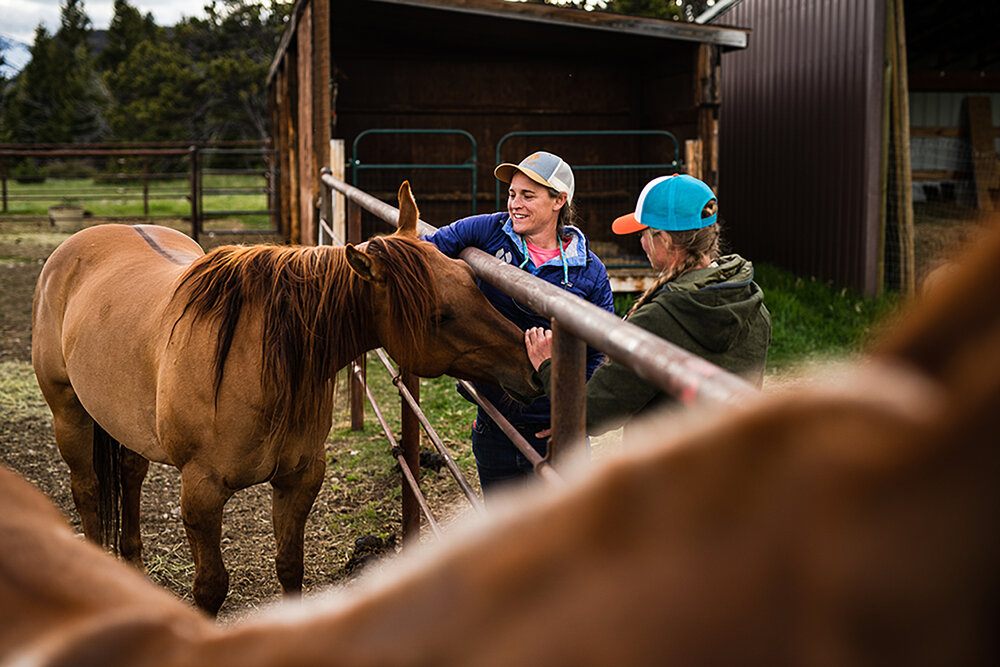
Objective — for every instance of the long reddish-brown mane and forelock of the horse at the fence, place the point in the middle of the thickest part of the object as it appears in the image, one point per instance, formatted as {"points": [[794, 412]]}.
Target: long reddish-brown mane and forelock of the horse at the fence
{"points": [[317, 313]]}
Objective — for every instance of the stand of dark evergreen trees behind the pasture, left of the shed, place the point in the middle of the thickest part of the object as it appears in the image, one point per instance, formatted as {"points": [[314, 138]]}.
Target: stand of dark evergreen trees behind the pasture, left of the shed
{"points": [[204, 82]]}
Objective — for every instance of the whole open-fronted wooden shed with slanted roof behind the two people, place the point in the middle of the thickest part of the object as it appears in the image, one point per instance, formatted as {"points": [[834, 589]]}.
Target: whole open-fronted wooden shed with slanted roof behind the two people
{"points": [[440, 91]]}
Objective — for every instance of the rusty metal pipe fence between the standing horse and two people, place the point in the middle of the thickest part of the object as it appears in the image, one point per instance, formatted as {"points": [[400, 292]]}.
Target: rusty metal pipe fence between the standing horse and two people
{"points": [[575, 323]]}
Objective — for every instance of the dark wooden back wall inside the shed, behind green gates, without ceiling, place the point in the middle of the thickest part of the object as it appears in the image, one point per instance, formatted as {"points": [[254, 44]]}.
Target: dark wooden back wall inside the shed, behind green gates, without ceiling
{"points": [[490, 99]]}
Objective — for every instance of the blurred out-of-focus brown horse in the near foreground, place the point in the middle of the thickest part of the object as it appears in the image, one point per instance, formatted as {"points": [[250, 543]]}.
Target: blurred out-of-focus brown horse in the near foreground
{"points": [[849, 521]]}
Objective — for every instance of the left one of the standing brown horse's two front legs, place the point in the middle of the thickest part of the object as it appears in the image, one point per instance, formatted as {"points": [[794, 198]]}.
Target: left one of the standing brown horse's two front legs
{"points": [[202, 499]]}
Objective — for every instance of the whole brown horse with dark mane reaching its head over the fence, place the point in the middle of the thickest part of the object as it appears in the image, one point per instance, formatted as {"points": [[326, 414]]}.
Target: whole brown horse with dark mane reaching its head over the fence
{"points": [[223, 365]]}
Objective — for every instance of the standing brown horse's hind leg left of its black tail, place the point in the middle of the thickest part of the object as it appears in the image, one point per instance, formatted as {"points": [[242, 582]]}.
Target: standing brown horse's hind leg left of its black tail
{"points": [[74, 431]]}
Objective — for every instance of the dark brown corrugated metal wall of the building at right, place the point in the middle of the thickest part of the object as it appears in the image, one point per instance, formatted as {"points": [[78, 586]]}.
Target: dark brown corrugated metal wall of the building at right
{"points": [[800, 137]]}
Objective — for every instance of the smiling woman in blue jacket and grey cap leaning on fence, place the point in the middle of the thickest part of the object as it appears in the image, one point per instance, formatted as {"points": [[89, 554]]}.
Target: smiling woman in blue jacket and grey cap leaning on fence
{"points": [[535, 234]]}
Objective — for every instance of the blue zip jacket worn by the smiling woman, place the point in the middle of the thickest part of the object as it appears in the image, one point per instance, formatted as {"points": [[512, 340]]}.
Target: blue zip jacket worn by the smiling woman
{"points": [[493, 233]]}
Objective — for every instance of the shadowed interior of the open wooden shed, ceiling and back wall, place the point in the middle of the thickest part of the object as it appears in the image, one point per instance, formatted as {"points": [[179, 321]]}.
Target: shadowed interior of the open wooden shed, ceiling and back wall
{"points": [[470, 77]]}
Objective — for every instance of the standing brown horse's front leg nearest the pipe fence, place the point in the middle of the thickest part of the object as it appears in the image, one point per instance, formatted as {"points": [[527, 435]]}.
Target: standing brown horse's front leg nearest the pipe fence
{"points": [[291, 499]]}
